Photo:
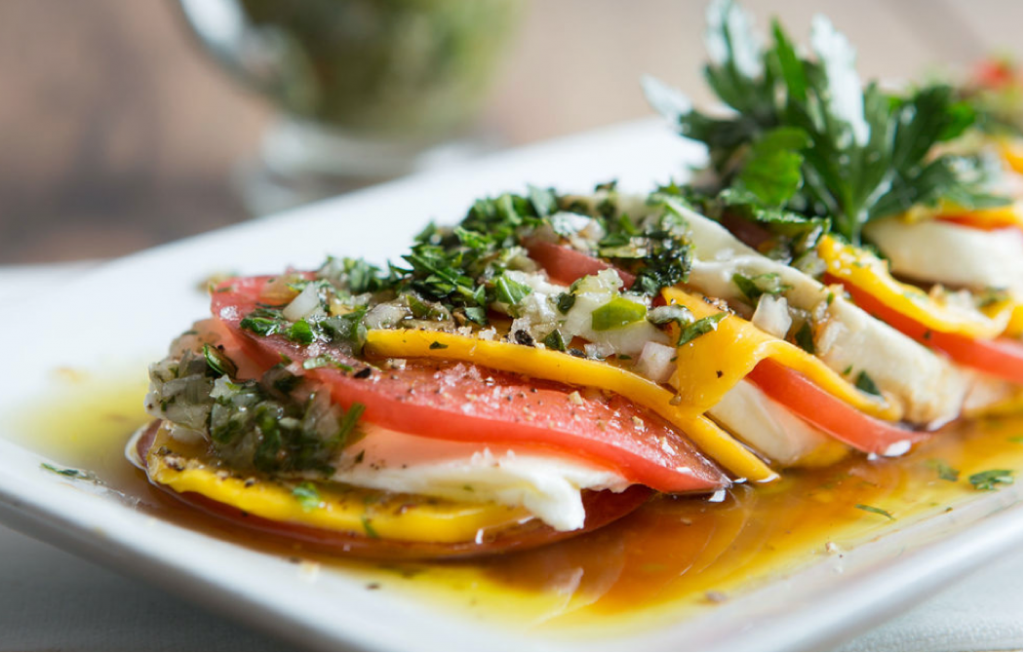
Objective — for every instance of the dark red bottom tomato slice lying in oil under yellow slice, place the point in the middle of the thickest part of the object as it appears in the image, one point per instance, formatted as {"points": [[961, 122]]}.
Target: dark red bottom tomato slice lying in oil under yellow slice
{"points": [[603, 509]]}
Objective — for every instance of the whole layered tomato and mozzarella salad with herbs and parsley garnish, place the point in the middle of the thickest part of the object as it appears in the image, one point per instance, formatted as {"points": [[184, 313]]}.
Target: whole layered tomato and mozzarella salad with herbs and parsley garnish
{"points": [[845, 278]]}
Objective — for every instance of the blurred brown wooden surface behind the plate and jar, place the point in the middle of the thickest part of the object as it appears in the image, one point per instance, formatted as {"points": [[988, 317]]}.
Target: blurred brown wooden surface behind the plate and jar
{"points": [[117, 134]]}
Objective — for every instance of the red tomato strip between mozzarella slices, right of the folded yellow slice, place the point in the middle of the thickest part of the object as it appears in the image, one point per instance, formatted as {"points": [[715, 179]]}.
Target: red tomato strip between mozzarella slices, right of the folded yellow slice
{"points": [[843, 422]]}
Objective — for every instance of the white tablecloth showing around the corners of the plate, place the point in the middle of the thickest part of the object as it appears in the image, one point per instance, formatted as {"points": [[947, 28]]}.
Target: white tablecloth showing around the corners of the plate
{"points": [[52, 601]]}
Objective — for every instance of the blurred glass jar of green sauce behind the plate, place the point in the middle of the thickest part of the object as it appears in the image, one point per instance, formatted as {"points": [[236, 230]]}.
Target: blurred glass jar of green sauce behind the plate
{"points": [[368, 90]]}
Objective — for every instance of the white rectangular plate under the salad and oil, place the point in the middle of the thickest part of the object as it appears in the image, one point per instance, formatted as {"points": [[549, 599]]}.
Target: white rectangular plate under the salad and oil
{"points": [[126, 313]]}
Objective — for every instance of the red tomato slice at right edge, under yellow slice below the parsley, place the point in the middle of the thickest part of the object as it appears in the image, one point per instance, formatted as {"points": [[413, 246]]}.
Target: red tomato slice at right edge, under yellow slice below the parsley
{"points": [[1001, 358]]}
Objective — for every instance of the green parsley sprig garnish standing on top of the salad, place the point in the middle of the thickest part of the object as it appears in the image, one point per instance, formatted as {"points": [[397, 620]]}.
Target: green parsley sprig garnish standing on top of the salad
{"points": [[805, 139]]}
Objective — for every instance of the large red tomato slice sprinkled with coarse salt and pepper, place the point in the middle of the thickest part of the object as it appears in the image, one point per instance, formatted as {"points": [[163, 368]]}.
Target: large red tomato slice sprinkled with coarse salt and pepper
{"points": [[460, 402]]}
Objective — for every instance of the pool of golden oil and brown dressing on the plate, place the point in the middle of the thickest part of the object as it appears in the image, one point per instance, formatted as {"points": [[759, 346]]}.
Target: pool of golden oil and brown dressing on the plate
{"points": [[671, 559]]}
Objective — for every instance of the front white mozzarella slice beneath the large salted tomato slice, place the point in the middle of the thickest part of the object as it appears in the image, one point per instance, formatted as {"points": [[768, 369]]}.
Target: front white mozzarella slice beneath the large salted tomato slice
{"points": [[546, 485]]}
